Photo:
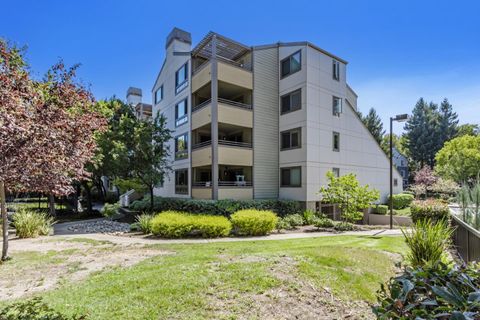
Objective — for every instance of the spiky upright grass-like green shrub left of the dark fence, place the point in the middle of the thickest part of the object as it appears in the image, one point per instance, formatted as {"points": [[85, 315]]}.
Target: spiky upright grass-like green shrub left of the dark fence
{"points": [[427, 242]]}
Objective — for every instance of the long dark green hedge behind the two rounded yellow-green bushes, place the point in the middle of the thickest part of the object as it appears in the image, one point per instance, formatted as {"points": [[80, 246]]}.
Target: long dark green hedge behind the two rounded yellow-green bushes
{"points": [[217, 207]]}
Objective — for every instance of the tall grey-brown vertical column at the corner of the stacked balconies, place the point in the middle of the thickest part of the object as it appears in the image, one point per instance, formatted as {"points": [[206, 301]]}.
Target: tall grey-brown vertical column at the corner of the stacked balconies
{"points": [[214, 115]]}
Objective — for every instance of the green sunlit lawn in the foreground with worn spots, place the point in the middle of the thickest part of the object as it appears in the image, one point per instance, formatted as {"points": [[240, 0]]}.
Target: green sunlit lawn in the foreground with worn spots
{"points": [[236, 280]]}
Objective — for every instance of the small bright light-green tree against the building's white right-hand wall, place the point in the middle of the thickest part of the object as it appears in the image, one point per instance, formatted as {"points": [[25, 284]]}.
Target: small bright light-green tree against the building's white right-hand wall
{"points": [[349, 195]]}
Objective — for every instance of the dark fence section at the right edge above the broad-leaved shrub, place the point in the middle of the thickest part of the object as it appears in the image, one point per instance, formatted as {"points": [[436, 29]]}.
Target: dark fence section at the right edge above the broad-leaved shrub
{"points": [[466, 239]]}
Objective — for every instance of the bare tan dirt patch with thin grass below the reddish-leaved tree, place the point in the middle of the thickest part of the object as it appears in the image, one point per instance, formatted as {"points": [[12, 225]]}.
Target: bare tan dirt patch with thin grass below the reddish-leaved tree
{"points": [[42, 264]]}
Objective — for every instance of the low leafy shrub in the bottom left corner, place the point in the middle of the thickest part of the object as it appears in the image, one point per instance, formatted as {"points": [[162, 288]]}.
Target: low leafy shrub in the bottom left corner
{"points": [[33, 309]]}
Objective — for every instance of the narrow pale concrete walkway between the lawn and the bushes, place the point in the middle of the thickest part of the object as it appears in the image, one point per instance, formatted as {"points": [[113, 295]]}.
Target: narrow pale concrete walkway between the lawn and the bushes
{"points": [[126, 240]]}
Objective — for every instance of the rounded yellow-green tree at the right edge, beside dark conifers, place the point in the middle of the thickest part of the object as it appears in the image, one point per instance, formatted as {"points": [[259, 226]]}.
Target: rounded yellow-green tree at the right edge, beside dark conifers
{"points": [[459, 159]]}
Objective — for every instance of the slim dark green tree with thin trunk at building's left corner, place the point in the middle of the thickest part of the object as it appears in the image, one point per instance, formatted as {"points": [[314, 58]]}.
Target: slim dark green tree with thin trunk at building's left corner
{"points": [[149, 153]]}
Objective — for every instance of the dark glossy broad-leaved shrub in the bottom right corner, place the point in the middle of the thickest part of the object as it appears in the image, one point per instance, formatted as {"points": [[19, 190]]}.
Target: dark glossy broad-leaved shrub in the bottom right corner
{"points": [[442, 292]]}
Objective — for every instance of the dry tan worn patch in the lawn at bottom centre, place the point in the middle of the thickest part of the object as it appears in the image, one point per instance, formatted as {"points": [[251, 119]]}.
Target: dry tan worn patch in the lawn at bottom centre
{"points": [[295, 298]]}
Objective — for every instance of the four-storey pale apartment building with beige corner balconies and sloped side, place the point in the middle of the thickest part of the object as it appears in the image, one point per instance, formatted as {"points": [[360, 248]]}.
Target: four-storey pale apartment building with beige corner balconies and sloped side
{"points": [[261, 122]]}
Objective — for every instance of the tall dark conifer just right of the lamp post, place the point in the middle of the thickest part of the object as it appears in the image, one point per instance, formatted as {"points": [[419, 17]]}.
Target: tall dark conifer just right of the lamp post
{"points": [[422, 133]]}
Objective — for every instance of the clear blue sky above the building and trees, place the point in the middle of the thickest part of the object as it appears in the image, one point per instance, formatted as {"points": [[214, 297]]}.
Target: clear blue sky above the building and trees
{"points": [[398, 51]]}
